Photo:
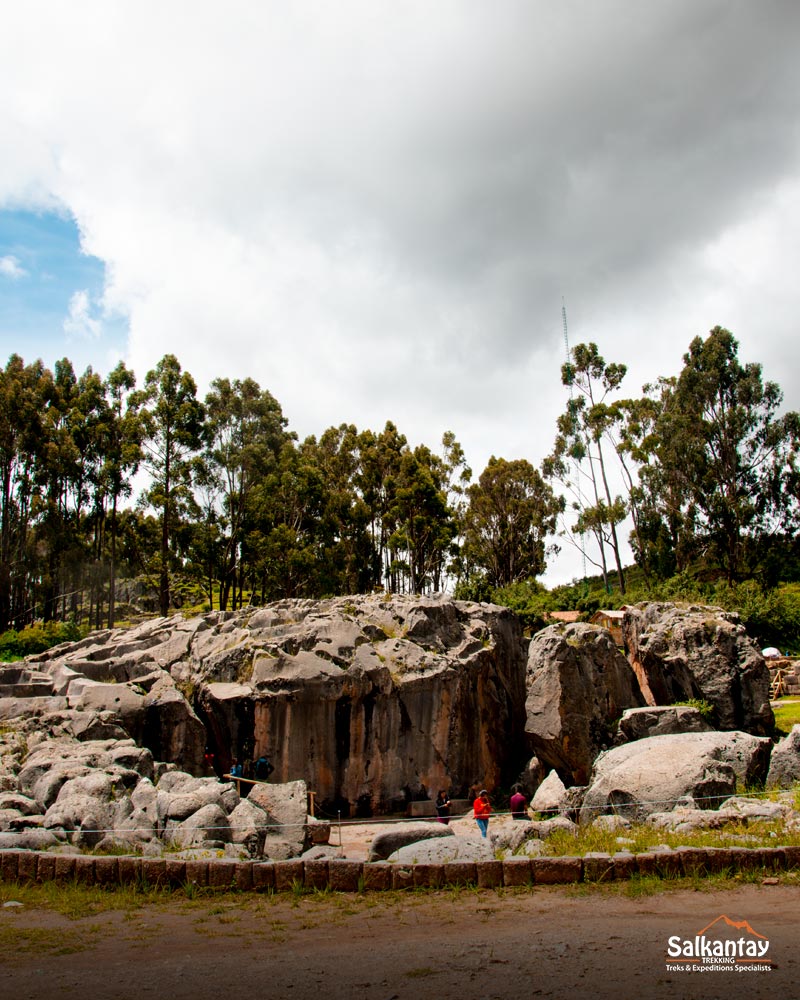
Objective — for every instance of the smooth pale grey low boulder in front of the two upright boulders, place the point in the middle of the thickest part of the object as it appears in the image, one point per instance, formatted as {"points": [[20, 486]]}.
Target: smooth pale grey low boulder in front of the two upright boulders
{"points": [[655, 774]]}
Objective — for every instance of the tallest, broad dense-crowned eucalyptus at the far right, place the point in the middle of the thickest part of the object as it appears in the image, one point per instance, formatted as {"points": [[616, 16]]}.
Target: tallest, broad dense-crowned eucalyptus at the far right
{"points": [[728, 452]]}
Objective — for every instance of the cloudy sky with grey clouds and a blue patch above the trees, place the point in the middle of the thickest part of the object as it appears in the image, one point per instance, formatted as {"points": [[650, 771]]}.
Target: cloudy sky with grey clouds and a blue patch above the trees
{"points": [[376, 209]]}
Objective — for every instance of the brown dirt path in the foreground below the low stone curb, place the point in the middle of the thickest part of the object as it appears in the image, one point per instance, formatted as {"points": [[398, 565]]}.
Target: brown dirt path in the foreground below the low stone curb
{"points": [[540, 943]]}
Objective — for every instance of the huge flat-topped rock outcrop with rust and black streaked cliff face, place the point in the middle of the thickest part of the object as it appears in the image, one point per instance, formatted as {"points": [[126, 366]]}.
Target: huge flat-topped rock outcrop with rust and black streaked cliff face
{"points": [[372, 701]]}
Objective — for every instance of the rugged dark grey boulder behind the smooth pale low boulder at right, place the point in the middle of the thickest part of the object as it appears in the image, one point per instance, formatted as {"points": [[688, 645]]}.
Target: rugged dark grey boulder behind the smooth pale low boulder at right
{"points": [[679, 654]]}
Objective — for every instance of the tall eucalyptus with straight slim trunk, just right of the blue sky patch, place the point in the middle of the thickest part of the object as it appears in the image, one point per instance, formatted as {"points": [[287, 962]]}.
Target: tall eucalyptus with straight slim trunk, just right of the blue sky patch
{"points": [[173, 421]]}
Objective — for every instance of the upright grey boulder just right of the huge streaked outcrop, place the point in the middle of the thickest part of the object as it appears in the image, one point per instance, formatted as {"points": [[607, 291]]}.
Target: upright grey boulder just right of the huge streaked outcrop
{"points": [[578, 685]]}
